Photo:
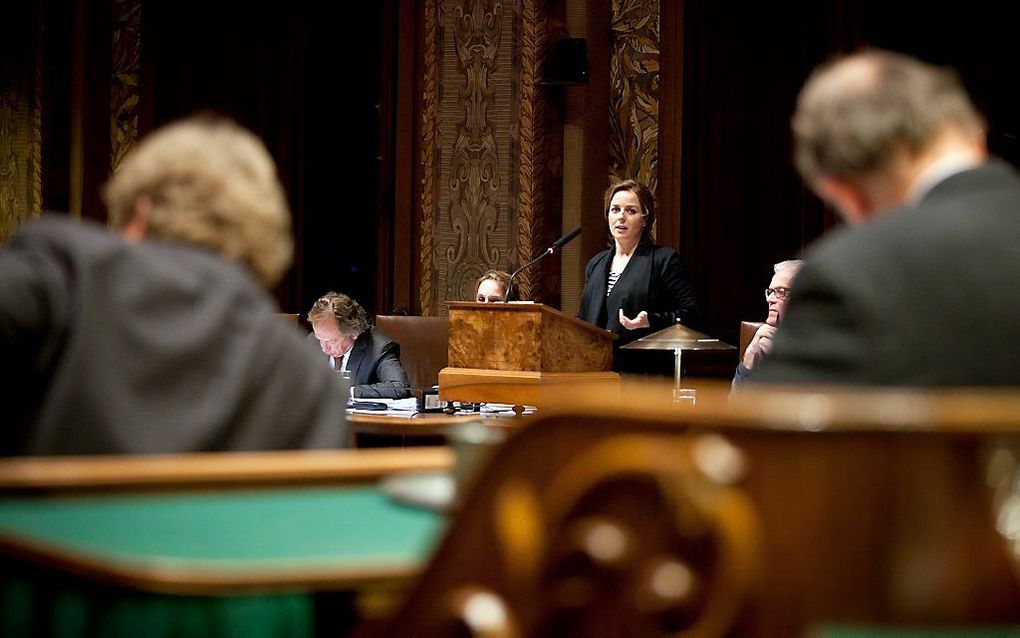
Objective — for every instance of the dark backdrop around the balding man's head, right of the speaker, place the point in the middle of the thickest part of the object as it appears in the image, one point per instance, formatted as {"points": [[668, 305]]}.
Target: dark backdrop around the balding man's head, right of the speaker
{"points": [[742, 207]]}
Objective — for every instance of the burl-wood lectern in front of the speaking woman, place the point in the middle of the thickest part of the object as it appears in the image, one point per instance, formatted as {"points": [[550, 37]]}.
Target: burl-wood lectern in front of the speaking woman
{"points": [[519, 353]]}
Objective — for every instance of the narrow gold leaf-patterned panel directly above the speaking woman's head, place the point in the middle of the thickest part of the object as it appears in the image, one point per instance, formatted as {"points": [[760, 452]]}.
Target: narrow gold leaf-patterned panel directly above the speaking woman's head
{"points": [[634, 99]]}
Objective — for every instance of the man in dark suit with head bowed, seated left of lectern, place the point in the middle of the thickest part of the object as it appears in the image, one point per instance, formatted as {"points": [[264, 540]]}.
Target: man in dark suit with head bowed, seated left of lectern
{"points": [[358, 351]]}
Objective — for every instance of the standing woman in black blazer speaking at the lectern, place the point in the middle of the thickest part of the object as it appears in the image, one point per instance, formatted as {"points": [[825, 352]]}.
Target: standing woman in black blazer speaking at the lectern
{"points": [[636, 288]]}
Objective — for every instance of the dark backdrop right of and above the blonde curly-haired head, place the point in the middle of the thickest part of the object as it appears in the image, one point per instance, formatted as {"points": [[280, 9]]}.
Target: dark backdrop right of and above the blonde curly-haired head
{"points": [[283, 71]]}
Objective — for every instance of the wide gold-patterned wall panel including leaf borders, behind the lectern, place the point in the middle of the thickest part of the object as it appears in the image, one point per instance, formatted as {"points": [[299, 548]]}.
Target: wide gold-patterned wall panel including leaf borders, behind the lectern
{"points": [[482, 153]]}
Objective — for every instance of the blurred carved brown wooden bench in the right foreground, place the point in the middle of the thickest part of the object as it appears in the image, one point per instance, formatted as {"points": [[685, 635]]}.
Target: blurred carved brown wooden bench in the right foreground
{"points": [[773, 517]]}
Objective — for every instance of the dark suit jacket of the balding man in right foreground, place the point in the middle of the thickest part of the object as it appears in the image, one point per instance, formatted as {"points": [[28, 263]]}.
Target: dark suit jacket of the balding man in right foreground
{"points": [[928, 296]]}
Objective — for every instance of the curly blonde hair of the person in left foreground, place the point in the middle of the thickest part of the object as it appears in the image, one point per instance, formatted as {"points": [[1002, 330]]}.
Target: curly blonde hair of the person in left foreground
{"points": [[211, 183]]}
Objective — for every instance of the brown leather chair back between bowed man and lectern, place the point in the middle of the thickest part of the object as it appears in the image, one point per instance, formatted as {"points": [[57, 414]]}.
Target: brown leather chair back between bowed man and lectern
{"points": [[424, 346]]}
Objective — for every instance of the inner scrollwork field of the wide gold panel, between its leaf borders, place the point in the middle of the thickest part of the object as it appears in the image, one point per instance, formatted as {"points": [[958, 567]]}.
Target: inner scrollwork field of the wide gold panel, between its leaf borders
{"points": [[472, 231]]}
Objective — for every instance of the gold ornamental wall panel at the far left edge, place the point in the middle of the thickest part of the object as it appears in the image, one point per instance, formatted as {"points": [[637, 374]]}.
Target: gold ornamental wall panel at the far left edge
{"points": [[21, 116]]}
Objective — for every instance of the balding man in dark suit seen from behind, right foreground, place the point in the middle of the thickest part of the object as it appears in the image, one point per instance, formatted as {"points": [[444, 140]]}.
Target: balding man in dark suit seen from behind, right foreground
{"points": [[925, 289]]}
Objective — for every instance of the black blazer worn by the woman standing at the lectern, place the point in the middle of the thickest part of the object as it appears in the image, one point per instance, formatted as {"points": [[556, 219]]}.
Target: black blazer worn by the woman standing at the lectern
{"points": [[654, 281]]}
